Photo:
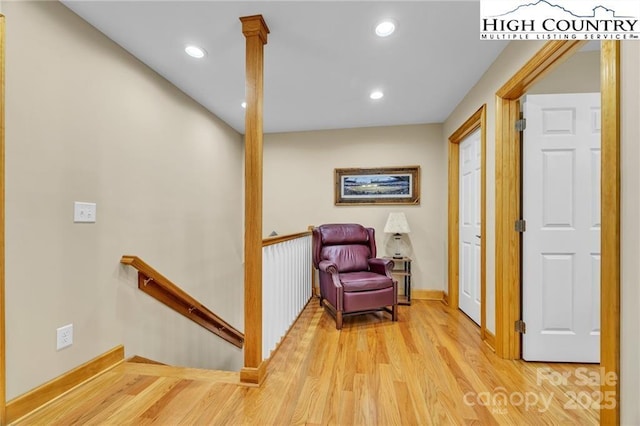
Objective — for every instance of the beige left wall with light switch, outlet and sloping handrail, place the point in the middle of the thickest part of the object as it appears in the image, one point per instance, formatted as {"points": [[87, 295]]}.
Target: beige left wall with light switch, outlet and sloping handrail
{"points": [[88, 122]]}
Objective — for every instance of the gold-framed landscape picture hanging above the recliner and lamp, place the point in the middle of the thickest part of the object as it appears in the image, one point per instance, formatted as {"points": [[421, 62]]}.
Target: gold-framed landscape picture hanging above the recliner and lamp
{"points": [[385, 185]]}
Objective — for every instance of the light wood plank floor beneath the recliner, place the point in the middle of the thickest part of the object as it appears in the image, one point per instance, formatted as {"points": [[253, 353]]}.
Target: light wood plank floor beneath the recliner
{"points": [[429, 368]]}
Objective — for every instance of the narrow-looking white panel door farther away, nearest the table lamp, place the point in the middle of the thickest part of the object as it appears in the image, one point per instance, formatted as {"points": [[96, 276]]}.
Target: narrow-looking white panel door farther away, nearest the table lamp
{"points": [[469, 220]]}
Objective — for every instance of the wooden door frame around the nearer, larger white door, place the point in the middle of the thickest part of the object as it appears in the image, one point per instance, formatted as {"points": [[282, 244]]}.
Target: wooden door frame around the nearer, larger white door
{"points": [[507, 204]]}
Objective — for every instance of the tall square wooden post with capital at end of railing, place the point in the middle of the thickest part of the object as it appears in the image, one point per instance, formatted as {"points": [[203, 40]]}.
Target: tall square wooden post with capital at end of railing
{"points": [[255, 31]]}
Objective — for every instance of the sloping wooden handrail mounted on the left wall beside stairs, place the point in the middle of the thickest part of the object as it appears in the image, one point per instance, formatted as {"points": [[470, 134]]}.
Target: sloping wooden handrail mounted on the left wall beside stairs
{"points": [[159, 287]]}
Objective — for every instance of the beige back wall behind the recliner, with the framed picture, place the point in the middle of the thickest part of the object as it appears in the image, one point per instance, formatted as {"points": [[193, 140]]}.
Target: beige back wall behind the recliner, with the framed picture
{"points": [[299, 191]]}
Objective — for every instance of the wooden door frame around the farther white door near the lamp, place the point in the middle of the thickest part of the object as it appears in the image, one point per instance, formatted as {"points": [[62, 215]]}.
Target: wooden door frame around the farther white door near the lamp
{"points": [[477, 121]]}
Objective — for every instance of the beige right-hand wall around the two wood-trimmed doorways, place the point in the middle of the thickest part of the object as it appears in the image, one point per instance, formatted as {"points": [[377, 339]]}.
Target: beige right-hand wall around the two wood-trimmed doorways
{"points": [[513, 57]]}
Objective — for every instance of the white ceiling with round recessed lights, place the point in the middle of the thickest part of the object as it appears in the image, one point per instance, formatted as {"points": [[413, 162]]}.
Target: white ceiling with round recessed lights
{"points": [[322, 58]]}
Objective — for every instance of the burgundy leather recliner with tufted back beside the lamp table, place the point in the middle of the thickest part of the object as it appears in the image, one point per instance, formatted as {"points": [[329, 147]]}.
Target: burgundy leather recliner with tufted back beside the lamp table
{"points": [[352, 279]]}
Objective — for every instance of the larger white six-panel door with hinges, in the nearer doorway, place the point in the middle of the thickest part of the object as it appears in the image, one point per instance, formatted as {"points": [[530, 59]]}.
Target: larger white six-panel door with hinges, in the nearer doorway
{"points": [[561, 244]]}
